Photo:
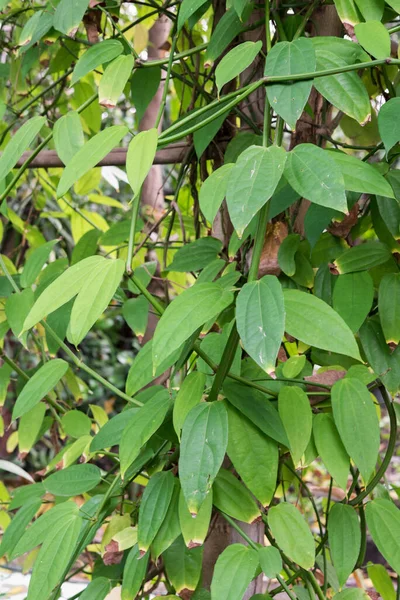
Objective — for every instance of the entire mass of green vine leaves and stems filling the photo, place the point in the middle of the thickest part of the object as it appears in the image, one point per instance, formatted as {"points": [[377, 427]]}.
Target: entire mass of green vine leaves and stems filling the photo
{"points": [[267, 373]]}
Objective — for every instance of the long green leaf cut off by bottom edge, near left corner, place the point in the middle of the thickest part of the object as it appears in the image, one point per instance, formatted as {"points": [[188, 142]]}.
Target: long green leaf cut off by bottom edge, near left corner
{"points": [[54, 557]]}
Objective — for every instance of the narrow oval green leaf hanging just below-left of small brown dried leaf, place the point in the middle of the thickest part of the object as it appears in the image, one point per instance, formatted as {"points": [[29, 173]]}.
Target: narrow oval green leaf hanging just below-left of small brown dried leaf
{"points": [[295, 412]]}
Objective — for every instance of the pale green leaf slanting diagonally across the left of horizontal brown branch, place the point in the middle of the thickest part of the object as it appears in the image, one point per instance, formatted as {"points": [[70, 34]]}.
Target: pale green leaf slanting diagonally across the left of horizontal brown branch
{"points": [[90, 155]]}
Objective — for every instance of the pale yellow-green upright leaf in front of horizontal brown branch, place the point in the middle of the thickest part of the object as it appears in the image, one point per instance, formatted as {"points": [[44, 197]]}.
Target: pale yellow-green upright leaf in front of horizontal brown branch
{"points": [[140, 156]]}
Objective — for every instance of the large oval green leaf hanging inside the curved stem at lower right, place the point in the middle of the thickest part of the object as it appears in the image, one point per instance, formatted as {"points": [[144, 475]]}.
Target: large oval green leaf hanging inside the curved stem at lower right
{"points": [[357, 422]]}
